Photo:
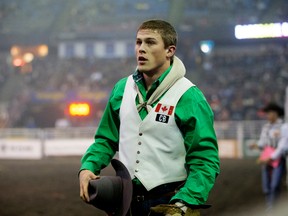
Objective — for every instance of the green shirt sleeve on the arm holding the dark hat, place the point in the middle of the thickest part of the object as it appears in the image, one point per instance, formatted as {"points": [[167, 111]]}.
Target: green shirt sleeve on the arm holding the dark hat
{"points": [[106, 139]]}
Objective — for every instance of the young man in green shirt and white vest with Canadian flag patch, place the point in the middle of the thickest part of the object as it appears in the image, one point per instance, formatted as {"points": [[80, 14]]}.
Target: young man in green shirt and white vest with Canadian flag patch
{"points": [[162, 126]]}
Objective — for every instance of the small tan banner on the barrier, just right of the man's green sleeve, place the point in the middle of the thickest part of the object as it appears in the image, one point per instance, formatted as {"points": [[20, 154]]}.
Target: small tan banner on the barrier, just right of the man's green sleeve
{"points": [[228, 148]]}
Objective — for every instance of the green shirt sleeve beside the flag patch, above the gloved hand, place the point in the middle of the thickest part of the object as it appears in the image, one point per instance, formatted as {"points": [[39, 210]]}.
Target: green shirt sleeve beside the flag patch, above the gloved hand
{"points": [[195, 119]]}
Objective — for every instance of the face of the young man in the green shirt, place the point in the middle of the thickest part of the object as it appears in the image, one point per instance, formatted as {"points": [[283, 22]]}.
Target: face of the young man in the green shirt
{"points": [[152, 57]]}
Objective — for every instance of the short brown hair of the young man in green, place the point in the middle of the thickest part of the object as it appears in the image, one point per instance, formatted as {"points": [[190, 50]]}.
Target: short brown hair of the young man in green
{"points": [[165, 29]]}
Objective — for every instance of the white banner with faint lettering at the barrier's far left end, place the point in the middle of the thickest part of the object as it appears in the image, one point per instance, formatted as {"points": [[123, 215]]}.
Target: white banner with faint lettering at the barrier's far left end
{"points": [[20, 148]]}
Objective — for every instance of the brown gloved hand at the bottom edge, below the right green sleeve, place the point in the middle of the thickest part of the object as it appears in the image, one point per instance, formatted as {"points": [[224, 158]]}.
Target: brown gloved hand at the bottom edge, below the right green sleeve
{"points": [[174, 210]]}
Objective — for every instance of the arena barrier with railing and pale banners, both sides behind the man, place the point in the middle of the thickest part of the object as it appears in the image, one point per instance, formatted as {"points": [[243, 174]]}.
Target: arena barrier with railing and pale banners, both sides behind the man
{"points": [[233, 136]]}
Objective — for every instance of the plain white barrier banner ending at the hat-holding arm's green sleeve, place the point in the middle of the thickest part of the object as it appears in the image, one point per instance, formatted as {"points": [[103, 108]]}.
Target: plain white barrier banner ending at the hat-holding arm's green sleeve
{"points": [[66, 147]]}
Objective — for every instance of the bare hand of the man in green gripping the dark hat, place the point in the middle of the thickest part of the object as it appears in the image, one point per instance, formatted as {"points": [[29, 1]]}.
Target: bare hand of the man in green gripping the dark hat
{"points": [[84, 177]]}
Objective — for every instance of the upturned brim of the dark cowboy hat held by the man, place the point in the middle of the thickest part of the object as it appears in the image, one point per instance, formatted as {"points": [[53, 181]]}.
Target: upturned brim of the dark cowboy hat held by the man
{"points": [[122, 172]]}
